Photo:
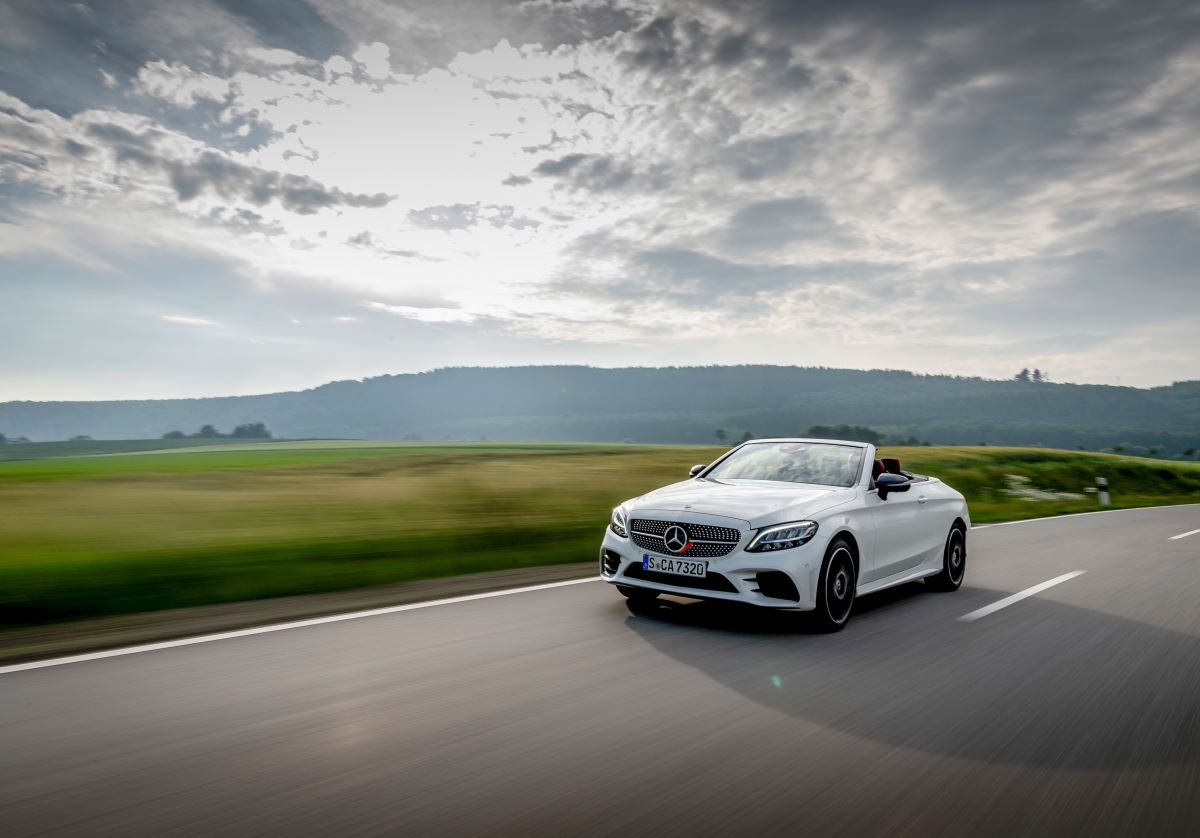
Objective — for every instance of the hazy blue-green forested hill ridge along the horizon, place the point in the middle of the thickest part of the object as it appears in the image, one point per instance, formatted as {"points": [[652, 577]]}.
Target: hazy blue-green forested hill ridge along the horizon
{"points": [[656, 405]]}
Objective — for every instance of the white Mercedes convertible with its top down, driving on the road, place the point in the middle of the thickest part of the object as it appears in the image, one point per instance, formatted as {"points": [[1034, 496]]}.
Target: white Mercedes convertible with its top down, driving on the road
{"points": [[790, 524]]}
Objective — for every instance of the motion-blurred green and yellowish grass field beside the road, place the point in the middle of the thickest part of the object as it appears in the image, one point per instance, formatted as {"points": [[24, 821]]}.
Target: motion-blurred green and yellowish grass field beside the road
{"points": [[139, 531]]}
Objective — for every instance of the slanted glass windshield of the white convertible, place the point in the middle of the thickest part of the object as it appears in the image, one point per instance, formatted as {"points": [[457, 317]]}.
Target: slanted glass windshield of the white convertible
{"points": [[817, 463]]}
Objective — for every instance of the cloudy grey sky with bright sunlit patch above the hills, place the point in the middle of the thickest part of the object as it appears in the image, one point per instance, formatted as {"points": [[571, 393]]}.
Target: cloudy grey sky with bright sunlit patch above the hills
{"points": [[241, 196]]}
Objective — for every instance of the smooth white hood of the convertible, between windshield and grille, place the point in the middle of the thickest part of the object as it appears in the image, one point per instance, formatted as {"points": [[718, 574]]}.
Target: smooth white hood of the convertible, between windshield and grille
{"points": [[757, 502]]}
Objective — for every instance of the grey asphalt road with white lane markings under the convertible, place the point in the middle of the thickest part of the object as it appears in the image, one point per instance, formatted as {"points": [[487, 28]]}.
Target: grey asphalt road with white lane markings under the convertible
{"points": [[561, 713]]}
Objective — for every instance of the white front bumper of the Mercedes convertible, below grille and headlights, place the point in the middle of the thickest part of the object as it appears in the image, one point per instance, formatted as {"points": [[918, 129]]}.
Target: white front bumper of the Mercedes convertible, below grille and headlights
{"points": [[740, 577]]}
